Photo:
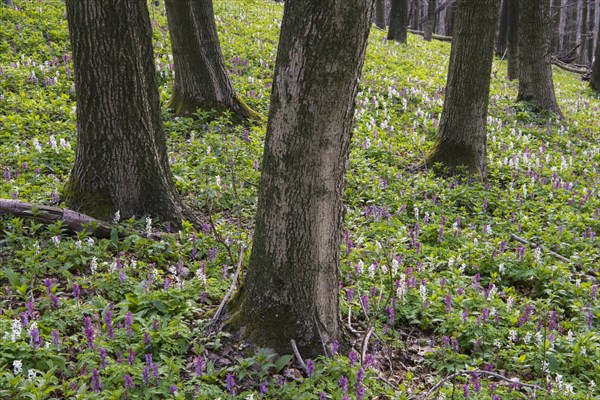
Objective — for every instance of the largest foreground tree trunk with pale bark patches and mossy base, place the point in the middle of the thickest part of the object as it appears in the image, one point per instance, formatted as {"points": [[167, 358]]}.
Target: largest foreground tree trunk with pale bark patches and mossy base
{"points": [[291, 288]]}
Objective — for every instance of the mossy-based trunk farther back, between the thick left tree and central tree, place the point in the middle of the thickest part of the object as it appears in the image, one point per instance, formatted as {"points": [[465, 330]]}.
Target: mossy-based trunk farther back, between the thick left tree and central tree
{"points": [[201, 77]]}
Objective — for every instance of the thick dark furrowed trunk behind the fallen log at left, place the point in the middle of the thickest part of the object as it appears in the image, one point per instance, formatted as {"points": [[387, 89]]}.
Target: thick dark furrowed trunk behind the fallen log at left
{"points": [[121, 156]]}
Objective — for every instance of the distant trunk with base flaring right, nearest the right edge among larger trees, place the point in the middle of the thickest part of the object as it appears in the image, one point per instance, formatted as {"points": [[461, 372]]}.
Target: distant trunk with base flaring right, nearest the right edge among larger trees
{"points": [[535, 68]]}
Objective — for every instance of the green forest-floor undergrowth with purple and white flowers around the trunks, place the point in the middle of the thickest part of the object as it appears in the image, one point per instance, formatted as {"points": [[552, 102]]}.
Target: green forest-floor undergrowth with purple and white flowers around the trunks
{"points": [[432, 265]]}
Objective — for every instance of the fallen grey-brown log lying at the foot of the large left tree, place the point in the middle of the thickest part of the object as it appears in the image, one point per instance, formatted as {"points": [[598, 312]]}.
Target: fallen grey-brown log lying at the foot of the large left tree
{"points": [[74, 222]]}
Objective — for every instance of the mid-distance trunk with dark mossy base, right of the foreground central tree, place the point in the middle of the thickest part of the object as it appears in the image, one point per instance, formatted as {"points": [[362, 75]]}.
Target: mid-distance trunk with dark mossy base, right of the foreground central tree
{"points": [[462, 136]]}
